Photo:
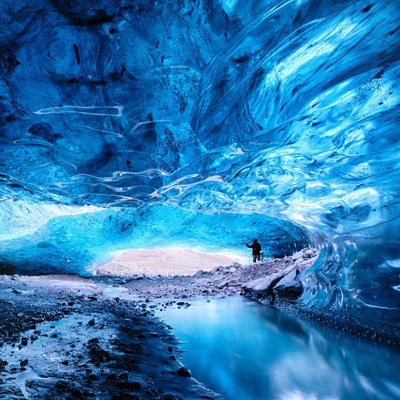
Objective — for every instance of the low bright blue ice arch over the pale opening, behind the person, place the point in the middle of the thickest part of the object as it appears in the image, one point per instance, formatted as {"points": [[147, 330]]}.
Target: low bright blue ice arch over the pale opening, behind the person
{"points": [[81, 243]]}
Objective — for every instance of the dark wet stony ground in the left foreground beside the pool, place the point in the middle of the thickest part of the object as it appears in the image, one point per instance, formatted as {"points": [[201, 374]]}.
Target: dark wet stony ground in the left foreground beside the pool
{"points": [[63, 344]]}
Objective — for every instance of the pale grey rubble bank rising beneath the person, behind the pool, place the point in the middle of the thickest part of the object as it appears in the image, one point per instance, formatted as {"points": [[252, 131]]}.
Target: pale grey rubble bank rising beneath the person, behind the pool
{"points": [[259, 278]]}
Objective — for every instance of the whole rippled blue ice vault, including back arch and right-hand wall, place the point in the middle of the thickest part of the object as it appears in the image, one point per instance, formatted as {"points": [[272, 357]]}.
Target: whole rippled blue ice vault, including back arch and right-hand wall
{"points": [[160, 119]]}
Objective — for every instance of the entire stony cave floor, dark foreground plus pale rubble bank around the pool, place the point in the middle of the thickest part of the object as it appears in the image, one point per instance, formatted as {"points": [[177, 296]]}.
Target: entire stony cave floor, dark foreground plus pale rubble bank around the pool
{"points": [[67, 337]]}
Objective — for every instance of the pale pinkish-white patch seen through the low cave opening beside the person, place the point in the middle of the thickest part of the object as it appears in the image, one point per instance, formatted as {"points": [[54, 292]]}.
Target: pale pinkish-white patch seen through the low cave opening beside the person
{"points": [[166, 261]]}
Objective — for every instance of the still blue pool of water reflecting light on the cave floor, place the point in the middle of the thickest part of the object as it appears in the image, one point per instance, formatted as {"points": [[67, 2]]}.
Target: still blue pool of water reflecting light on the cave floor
{"points": [[247, 351]]}
